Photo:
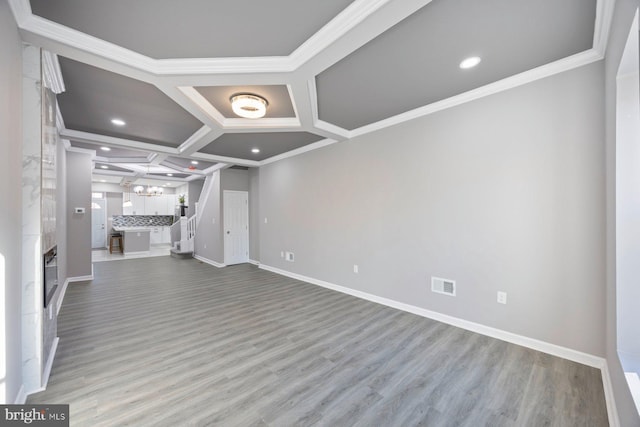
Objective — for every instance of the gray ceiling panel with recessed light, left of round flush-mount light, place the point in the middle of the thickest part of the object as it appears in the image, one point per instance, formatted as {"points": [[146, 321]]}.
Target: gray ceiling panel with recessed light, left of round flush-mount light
{"points": [[93, 97]]}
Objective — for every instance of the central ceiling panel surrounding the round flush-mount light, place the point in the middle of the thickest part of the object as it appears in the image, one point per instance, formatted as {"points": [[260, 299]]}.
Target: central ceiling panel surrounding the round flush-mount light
{"points": [[276, 95]]}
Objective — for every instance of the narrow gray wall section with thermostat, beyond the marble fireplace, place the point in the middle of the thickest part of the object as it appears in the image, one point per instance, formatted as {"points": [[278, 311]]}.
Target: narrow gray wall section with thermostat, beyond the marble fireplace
{"points": [[78, 225]]}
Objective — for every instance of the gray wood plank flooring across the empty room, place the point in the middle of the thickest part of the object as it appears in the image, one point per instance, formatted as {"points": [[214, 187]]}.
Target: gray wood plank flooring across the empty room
{"points": [[166, 342]]}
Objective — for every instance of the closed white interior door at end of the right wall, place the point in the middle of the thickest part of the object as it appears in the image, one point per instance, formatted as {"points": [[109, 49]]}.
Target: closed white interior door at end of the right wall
{"points": [[236, 227]]}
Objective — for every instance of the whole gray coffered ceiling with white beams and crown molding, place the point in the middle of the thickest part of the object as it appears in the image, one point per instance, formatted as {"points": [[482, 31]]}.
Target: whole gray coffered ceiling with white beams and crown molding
{"points": [[330, 70]]}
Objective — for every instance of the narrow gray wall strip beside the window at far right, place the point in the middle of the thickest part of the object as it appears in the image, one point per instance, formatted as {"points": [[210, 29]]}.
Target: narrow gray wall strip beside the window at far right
{"points": [[623, 15]]}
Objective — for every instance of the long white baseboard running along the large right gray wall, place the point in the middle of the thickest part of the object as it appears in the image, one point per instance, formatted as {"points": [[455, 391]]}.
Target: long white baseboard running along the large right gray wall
{"points": [[553, 349]]}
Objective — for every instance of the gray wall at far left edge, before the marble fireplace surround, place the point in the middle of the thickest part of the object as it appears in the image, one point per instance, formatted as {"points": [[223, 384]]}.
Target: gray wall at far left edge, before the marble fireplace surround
{"points": [[11, 209]]}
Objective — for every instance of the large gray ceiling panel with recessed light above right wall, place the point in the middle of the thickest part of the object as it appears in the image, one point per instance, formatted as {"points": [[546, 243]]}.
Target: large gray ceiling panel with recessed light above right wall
{"points": [[415, 63]]}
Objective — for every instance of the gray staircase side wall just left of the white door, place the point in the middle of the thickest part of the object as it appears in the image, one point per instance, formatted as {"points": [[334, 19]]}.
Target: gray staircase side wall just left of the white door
{"points": [[209, 243]]}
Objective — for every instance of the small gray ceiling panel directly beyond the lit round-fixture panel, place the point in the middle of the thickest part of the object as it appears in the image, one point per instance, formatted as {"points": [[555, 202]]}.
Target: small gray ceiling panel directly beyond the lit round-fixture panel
{"points": [[239, 145]]}
